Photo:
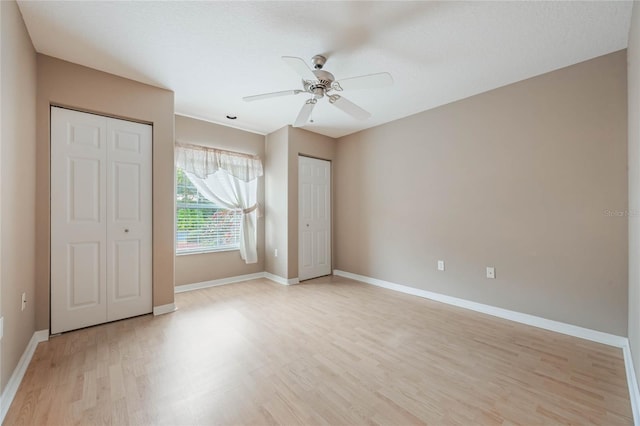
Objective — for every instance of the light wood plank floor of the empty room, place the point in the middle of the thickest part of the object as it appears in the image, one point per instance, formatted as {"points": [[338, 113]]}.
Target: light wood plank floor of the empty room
{"points": [[328, 351]]}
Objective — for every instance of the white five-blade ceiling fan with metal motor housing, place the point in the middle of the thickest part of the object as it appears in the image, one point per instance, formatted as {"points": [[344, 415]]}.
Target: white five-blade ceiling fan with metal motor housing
{"points": [[318, 83]]}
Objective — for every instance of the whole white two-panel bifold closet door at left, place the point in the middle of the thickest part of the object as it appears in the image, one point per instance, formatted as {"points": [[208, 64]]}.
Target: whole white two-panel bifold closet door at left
{"points": [[101, 219]]}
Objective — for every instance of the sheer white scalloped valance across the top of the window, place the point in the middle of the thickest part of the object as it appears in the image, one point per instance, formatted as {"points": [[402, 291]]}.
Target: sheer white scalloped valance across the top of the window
{"points": [[204, 161]]}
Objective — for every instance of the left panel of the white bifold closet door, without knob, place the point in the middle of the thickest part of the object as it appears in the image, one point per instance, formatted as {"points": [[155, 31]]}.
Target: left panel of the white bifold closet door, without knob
{"points": [[78, 220]]}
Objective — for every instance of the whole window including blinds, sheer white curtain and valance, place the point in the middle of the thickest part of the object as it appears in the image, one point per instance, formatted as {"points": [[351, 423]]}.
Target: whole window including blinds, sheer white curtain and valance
{"points": [[227, 180]]}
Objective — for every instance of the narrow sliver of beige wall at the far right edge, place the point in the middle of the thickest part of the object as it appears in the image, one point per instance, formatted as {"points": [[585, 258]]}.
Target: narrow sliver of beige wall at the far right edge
{"points": [[633, 79]]}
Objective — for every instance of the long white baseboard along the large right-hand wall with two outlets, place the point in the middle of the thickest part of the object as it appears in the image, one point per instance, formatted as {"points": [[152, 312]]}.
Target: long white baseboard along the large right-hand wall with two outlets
{"points": [[547, 324]]}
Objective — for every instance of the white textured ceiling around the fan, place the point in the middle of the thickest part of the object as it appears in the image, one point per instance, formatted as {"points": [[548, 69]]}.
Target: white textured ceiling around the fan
{"points": [[211, 54]]}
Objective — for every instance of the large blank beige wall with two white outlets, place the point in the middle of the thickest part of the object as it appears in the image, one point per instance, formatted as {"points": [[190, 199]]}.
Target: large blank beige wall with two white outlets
{"points": [[518, 178]]}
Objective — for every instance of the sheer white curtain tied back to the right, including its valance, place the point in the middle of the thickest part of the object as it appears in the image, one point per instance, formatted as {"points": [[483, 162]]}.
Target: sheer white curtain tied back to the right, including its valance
{"points": [[229, 180]]}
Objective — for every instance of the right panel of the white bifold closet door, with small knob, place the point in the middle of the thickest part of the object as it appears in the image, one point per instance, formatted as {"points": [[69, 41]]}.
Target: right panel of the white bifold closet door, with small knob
{"points": [[129, 227]]}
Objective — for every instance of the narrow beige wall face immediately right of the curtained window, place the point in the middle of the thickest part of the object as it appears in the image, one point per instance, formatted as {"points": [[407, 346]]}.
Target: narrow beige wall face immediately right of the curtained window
{"points": [[276, 212]]}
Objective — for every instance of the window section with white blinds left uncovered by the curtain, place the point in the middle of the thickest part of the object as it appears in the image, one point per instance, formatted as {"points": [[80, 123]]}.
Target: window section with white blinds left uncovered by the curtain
{"points": [[202, 226]]}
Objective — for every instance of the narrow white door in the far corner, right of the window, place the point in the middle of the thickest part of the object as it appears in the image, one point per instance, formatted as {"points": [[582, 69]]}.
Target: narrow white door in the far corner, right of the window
{"points": [[314, 218]]}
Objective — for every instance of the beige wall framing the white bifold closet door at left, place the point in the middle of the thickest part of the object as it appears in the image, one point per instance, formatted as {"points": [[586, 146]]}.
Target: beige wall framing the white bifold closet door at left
{"points": [[66, 84]]}
